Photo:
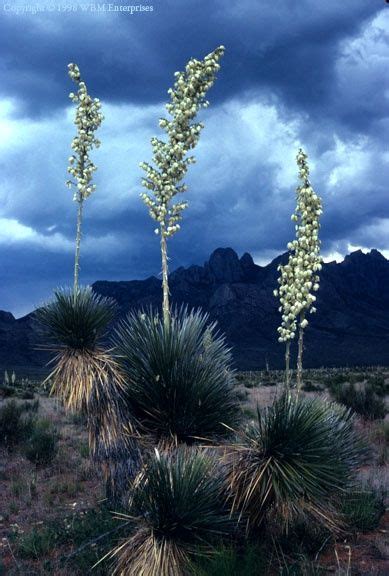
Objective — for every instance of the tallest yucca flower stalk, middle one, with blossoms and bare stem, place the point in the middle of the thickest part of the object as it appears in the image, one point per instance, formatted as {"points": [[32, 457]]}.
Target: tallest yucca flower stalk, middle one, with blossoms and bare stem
{"points": [[170, 157]]}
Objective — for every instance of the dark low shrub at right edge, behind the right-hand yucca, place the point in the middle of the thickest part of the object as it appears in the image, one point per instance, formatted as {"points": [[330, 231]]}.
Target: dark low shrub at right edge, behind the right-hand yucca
{"points": [[363, 401]]}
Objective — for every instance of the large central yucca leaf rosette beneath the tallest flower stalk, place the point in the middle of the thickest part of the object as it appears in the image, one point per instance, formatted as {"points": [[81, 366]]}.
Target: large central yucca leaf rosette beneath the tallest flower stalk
{"points": [[180, 383]]}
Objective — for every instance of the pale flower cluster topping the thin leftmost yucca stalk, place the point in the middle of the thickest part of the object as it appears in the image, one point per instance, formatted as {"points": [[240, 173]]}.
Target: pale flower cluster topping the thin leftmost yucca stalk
{"points": [[88, 119]]}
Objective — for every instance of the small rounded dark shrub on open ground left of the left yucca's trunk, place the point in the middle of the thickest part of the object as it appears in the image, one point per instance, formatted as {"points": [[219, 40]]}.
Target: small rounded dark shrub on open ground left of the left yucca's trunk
{"points": [[42, 445]]}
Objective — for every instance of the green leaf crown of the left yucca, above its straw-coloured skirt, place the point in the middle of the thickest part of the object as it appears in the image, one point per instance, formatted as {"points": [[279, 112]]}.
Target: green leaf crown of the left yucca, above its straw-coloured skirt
{"points": [[76, 319]]}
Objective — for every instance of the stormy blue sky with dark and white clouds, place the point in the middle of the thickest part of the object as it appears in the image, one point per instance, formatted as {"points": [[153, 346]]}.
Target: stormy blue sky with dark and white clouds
{"points": [[295, 73]]}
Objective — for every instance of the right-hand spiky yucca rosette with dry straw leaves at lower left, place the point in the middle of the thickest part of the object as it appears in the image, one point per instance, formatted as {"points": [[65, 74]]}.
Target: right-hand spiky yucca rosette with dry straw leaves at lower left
{"points": [[294, 462]]}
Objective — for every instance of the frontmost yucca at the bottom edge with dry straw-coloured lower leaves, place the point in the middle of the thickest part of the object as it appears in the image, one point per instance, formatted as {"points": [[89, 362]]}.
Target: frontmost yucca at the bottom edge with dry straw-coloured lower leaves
{"points": [[178, 508]]}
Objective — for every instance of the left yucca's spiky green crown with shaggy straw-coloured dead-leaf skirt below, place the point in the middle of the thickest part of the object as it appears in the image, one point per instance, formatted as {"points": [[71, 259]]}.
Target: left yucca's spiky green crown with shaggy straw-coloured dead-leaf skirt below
{"points": [[86, 376]]}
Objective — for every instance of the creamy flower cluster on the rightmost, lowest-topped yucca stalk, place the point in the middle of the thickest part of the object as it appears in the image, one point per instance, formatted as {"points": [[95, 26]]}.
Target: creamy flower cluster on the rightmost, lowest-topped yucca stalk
{"points": [[299, 278]]}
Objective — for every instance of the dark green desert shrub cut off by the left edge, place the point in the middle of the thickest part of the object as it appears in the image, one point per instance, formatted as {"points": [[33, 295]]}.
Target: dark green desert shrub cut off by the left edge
{"points": [[14, 425]]}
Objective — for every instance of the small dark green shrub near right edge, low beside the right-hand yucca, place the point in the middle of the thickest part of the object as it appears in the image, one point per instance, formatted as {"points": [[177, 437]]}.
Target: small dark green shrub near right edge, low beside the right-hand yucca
{"points": [[363, 509]]}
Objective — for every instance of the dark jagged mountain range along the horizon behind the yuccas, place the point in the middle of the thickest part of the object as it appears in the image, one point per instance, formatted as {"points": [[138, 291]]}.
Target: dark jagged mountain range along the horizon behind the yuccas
{"points": [[351, 326]]}
